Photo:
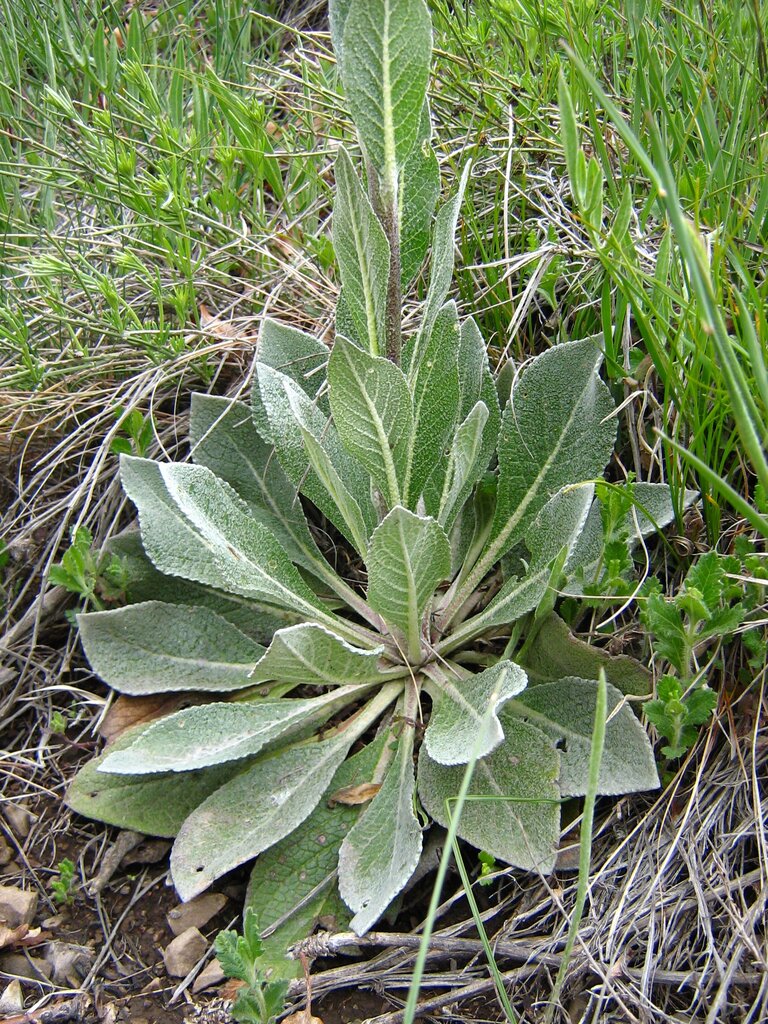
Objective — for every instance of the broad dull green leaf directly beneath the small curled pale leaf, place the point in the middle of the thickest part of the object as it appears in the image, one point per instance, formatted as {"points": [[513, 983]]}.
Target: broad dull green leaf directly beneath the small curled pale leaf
{"points": [[520, 823]]}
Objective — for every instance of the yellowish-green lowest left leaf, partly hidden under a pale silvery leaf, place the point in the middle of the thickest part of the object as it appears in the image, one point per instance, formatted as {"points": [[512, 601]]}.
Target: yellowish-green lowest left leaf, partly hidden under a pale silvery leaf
{"points": [[141, 802]]}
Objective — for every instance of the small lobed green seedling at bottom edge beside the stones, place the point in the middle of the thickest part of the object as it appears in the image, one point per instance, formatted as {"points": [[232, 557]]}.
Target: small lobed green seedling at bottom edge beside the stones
{"points": [[260, 1002]]}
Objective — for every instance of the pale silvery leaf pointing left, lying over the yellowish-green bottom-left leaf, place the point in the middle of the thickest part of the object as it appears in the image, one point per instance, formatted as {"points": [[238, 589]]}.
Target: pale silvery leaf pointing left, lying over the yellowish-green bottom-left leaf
{"points": [[210, 735]]}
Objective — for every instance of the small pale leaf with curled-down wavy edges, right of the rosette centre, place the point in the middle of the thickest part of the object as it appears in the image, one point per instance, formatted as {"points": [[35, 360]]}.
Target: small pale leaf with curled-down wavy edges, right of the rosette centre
{"points": [[462, 708]]}
